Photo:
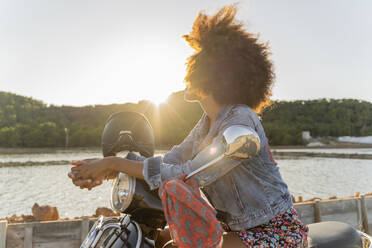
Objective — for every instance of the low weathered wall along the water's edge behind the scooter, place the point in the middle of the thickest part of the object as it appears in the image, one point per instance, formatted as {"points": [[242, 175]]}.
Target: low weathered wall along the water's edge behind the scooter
{"points": [[71, 233]]}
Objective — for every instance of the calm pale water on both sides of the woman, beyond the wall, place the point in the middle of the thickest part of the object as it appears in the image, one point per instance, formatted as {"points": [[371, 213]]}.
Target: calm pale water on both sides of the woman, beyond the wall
{"points": [[21, 187]]}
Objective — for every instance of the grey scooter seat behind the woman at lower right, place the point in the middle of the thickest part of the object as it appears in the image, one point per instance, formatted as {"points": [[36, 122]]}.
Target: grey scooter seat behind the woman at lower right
{"points": [[333, 234]]}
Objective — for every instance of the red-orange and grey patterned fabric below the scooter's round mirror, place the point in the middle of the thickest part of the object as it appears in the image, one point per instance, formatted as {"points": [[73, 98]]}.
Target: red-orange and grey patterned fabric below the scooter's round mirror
{"points": [[192, 221]]}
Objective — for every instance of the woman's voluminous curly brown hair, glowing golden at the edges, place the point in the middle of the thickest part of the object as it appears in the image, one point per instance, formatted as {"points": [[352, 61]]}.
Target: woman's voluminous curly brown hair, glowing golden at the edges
{"points": [[229, 62]]}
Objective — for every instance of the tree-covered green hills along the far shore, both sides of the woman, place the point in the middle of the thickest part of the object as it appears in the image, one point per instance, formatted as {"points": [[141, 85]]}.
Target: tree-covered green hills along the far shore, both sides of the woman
{"points": [[25, 122]]}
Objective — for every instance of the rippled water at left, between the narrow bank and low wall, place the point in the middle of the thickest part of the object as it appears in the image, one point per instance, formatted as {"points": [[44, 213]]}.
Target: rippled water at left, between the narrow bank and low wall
{"points": [[21, 187]]}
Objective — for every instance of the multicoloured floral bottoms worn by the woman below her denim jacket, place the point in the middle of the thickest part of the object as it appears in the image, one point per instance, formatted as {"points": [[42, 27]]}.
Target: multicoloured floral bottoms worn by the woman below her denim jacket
{"points": [[285, 230]]}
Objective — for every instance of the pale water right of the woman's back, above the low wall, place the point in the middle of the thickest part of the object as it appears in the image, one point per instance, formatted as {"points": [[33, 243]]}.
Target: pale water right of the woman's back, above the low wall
{"points": [[326, 177]]}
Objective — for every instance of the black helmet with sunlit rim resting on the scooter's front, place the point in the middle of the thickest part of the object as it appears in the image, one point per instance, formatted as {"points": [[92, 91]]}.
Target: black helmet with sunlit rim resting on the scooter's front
{"points": [[127, 131]]}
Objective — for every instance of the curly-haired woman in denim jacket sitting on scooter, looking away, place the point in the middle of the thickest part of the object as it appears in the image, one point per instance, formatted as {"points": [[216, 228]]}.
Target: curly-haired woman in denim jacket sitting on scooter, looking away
{"points": [[231, 76]]}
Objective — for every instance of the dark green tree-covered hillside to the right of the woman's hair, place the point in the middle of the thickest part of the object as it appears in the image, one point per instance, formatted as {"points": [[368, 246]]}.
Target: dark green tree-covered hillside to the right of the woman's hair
{"points": [[285, 121]]}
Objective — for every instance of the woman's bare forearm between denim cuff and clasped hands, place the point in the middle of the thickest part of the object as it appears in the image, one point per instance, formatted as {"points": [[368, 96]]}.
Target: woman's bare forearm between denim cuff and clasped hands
{"points": [[127, 166]]}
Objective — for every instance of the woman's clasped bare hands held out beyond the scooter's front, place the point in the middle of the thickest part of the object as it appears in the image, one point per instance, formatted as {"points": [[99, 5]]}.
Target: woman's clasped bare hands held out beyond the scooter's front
{"points": [[89, 173]]}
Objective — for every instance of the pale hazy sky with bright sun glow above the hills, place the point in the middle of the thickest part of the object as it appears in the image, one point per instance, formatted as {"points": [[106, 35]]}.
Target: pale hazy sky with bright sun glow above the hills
{"points": [[80, 52]]}
